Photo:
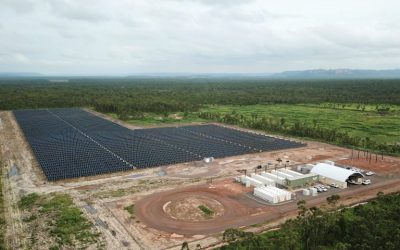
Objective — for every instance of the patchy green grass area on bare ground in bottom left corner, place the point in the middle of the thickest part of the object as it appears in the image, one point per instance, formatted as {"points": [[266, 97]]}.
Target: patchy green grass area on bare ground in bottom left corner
{"points": [[57, 217]]}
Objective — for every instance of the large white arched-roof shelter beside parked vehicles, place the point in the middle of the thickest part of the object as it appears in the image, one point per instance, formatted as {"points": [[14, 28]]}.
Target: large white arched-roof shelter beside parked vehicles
{"points": [[331, 174]]}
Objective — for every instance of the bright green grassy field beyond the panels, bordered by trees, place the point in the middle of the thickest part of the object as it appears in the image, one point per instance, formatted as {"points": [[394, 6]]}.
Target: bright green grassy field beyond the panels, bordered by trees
{"points": [[378, 126]]}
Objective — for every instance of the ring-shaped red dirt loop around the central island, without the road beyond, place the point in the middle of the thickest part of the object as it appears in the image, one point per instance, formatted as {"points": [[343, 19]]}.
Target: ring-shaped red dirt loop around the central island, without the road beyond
{"points": [[237, 210]]}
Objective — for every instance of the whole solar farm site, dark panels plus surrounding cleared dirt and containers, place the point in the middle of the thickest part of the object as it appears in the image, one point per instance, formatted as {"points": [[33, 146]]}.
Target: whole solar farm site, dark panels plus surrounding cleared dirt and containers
{"points": [[149, 188]]}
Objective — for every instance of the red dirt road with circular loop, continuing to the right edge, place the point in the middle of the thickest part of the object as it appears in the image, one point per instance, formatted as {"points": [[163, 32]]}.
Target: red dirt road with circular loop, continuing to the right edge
{"points": [[239, 209]]}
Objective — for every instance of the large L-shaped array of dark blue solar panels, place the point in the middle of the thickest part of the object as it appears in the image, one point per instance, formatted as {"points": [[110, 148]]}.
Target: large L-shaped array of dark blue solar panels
{"points": [[70, 143]]}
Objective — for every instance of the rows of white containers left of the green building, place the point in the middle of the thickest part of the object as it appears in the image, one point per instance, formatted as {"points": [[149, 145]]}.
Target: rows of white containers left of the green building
{"points": [[264, 187]]}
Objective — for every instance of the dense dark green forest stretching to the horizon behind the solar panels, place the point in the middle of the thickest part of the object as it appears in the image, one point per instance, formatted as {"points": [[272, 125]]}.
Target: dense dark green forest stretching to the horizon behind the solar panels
{"points": [[125, 95]]}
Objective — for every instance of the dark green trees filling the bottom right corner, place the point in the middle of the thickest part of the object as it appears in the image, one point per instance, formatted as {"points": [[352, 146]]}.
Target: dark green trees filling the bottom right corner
{"points": [[371, 226]]}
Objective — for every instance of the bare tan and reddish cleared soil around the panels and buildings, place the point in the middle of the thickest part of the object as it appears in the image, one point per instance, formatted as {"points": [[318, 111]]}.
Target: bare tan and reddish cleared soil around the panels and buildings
{"points": [[185, 186]]}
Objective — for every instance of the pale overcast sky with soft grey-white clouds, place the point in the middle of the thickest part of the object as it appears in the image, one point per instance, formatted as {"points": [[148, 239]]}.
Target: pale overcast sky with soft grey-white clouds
{"points": [[98, 37]]}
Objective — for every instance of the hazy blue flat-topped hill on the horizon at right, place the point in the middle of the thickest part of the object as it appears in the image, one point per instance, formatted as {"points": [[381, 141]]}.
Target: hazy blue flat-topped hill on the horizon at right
{"points": [[338, 74]]}
